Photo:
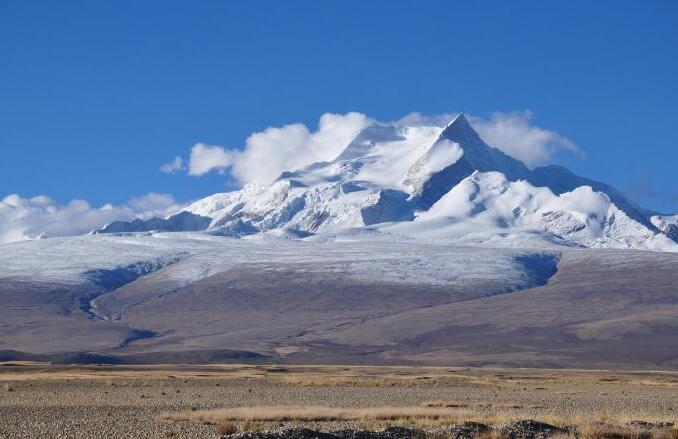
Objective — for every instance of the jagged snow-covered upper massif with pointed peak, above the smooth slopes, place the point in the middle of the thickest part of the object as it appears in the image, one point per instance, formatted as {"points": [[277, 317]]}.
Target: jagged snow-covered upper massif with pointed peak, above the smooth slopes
{"points": [[428, 182]]}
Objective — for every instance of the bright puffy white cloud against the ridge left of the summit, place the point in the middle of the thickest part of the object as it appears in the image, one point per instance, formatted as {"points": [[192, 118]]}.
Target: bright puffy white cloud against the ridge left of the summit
{"points": [[277, 149]]}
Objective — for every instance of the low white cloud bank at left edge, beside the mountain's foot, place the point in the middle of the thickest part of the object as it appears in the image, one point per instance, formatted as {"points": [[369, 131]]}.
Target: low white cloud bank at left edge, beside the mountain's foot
{"points": [[28, 218]]}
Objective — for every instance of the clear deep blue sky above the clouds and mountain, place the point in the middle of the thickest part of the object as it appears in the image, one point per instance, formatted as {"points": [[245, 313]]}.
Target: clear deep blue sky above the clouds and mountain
{"points": [[95, 96]]}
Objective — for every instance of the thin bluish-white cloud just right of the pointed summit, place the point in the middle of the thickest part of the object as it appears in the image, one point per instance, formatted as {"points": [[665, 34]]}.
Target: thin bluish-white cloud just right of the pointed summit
{"points": [[514, 134]]}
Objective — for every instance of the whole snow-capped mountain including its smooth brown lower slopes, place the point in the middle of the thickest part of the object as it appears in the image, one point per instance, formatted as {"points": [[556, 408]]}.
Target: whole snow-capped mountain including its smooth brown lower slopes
{"points": [[404, 247]]}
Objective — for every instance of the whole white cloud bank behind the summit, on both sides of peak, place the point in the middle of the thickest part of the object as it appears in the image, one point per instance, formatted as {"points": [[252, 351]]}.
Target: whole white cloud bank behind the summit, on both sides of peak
{"points": [[268, 153]]}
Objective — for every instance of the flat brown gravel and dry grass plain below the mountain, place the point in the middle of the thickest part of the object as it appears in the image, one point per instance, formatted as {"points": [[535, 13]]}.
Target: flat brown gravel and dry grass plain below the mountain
{"points": [[196, 401]]}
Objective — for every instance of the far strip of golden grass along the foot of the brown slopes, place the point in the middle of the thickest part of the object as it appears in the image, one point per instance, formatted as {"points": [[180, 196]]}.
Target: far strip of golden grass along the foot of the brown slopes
{"points": [[349, 376]]}
